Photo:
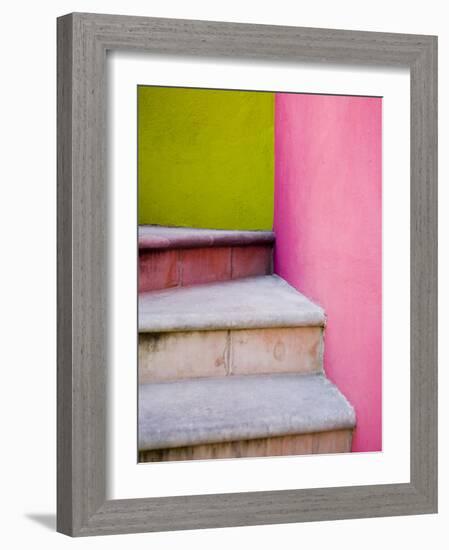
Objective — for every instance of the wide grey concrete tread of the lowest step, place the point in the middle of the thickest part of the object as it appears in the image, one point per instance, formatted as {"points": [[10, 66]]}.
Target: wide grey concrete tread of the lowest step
{"points": [[234, 408]]}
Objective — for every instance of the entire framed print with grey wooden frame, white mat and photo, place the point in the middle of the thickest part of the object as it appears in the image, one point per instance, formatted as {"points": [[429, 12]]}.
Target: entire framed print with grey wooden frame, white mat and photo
{"points": [[246, 274]]}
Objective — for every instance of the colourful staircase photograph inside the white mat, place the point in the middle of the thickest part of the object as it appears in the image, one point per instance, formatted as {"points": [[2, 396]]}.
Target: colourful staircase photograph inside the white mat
{"points": [[259, 273]]}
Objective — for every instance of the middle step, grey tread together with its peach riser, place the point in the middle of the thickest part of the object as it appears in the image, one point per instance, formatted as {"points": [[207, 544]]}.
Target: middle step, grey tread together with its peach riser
{"points": [[251, 326]]}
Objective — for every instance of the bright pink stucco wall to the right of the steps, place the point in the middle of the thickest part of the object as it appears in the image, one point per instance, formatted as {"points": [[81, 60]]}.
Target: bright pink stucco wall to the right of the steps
{"points": [[327, 219]]}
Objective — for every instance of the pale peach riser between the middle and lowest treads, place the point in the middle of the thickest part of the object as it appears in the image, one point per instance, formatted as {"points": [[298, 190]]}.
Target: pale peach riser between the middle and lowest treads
{"points": [[197, 354]]}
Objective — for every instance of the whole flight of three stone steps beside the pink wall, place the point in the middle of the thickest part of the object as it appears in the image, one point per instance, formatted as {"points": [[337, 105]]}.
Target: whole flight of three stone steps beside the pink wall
{"points": [[230, 355]]}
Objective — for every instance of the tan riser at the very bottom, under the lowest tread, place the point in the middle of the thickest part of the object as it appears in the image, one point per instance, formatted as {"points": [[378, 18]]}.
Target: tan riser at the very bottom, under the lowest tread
{"points": [[336, 441]]}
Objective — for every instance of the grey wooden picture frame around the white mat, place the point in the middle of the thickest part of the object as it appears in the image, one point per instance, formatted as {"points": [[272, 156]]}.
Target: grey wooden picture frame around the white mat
{"points": [[83, 40]]}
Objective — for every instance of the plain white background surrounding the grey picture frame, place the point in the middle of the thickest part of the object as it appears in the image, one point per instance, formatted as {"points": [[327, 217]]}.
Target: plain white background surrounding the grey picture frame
{"points": [[27, 215]]}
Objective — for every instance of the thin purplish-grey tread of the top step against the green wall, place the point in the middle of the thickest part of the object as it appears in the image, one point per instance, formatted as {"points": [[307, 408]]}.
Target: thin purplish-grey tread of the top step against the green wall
{"points": [[158, 237]]}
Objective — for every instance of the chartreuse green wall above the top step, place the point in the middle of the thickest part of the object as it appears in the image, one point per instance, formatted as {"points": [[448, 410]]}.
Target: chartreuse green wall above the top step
{"points": [[205, 158]]}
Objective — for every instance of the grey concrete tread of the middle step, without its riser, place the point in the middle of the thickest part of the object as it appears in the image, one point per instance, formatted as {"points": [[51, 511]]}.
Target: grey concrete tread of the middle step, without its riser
{"points": [[254, 302]]}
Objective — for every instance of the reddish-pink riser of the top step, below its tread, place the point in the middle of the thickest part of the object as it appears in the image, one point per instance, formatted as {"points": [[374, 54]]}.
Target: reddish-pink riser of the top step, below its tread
{"points": [[159, 269]]}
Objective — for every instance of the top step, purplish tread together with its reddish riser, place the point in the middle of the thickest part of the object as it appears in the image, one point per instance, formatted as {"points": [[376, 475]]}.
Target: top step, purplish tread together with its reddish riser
{"points": [[175, 256]]}
